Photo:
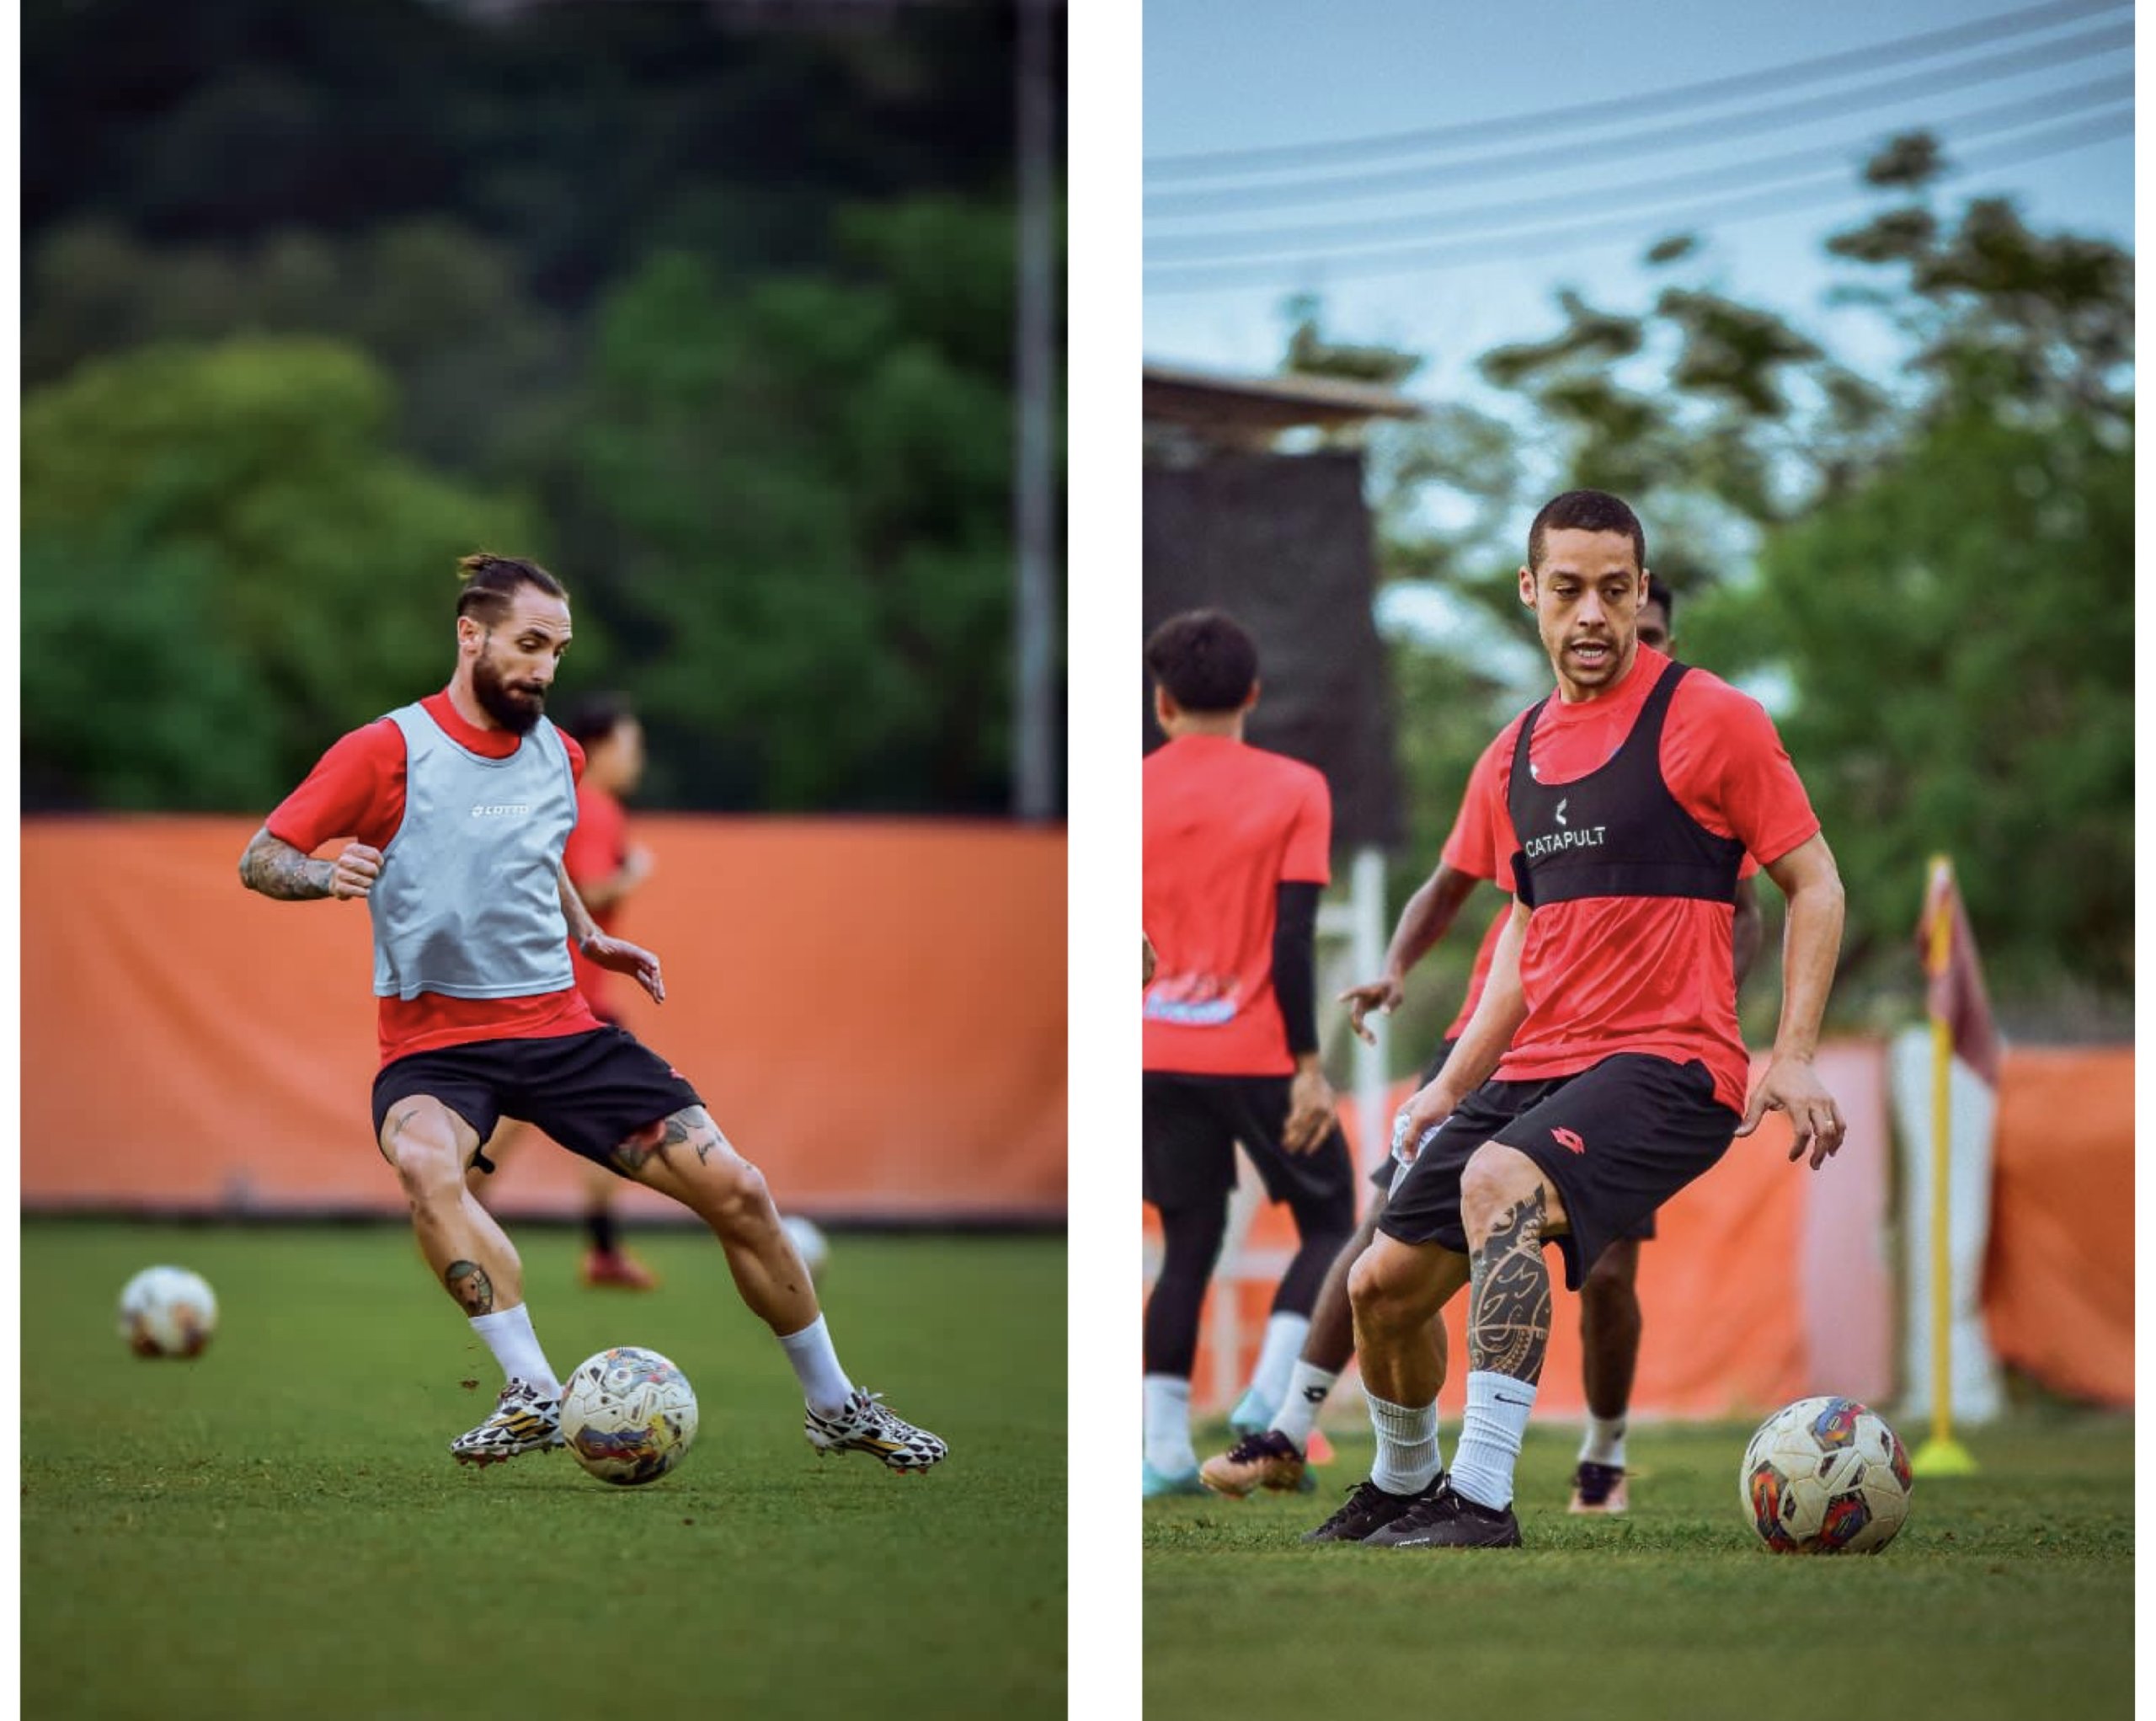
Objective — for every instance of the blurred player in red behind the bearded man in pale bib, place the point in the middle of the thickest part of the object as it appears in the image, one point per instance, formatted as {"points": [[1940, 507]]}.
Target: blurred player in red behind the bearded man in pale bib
{"points": [[605, 868]]}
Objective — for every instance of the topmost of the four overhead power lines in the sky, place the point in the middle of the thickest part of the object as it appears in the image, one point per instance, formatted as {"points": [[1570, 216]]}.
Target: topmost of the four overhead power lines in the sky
{"points": [[1586, 115]]}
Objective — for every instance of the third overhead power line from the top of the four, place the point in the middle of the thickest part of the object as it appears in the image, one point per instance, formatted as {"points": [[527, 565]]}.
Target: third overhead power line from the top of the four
{"points": [[1812, 163]]}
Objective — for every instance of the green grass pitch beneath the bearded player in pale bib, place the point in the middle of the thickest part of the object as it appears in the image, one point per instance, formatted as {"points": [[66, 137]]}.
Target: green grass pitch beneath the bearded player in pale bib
{"points": [[277, 1528]]}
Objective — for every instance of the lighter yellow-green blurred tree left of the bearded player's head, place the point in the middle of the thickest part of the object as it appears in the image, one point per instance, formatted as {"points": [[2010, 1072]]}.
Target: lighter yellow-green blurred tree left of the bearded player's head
{"points": [[223, 549]]}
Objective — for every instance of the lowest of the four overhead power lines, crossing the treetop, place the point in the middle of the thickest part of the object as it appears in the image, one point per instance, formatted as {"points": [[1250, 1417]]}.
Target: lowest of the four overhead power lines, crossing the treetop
{"points": [[1581, 236]]}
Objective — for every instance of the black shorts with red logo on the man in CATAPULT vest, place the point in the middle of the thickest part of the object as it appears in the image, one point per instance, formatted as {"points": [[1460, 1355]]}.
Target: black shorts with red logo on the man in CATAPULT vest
{"points": [[1616, 1142]]}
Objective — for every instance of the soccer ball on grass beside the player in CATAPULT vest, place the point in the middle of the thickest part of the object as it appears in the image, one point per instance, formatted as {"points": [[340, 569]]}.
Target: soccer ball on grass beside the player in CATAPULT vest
{"points": [[1825, 1476]]}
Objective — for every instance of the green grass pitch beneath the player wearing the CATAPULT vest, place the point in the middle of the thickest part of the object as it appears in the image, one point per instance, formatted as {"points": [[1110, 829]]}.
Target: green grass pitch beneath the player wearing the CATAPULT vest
{"points": [[2006, 1595]]}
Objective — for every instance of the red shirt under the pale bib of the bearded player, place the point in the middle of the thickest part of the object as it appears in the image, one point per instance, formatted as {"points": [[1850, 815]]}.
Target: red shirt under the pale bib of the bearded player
{"points": [[357, 790]]}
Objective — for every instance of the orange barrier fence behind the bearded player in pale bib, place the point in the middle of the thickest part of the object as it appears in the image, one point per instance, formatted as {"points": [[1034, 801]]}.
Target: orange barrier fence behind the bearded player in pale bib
{"points": [[872, 1010]]}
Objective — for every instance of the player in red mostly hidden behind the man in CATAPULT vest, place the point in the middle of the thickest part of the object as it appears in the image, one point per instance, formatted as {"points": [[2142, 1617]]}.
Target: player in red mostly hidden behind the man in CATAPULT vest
{"points": [[1280, 1429]]}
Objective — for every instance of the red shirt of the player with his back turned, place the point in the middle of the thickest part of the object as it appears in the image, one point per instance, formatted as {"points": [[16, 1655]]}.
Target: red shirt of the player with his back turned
{"points": [[1226, 825]]}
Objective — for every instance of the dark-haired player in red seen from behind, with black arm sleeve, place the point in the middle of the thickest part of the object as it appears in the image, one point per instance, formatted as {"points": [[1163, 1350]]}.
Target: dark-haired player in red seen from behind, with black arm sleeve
{"points": [[1236, 853]]}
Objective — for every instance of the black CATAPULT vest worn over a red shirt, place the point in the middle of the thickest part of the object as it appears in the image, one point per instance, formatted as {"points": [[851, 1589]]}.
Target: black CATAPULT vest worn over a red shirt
{"points": [[1616, 831]]}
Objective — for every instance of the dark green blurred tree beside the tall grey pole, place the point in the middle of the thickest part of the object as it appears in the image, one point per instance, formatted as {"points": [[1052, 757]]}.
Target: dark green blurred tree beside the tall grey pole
{"points": [[794, 506]]}
